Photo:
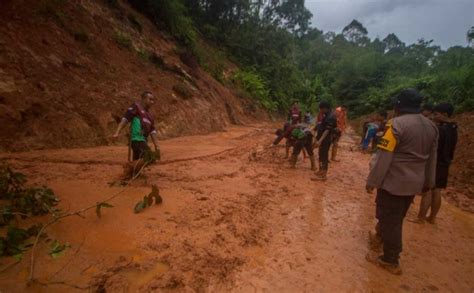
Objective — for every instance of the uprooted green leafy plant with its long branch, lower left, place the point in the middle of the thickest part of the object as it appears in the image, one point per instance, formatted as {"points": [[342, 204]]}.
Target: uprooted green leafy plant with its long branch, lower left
{"points": [[18, 201]]}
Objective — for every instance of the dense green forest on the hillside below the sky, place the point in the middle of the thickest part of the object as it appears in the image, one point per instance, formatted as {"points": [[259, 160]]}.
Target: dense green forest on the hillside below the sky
{"points": [[283, 58]]}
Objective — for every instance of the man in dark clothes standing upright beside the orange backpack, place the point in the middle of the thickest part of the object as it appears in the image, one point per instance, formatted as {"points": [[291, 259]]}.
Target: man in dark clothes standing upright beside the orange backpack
{"points": [[325, 130]]}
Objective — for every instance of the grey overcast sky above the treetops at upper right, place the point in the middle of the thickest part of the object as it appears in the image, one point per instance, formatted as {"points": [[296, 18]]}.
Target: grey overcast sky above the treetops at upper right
{"points": [[444, 21]]}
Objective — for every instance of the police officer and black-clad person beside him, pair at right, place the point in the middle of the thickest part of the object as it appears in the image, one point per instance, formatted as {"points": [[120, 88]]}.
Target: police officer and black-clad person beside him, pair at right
{"points": [[412, 158]]}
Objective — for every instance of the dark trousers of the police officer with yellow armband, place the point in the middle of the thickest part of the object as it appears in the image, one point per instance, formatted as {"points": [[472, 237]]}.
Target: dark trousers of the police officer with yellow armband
{"points": [[390, 211]]}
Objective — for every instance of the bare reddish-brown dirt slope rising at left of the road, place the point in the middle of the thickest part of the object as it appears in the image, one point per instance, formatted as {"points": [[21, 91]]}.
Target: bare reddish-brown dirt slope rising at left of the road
{"points": [[68, 69]]}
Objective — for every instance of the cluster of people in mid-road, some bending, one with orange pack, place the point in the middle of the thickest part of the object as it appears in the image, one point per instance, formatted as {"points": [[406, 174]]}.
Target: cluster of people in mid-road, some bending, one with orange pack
{"points": [[304, 135]]}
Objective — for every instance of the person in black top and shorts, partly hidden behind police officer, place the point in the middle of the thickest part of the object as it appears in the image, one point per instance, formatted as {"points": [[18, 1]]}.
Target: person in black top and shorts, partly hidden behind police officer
{"points": [[448, 137]]}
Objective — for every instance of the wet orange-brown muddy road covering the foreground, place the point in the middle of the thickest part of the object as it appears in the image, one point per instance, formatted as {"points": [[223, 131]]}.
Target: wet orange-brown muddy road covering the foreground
{"points": [[234, 217]]}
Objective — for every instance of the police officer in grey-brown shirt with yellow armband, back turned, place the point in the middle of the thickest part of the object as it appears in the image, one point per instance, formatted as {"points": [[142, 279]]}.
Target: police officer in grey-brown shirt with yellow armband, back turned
{"points": [[404, 165]]}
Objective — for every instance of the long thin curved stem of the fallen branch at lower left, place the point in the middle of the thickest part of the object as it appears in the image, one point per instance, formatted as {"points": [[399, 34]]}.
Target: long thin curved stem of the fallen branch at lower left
{"points": [[56, 218]]}
